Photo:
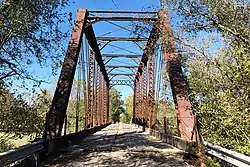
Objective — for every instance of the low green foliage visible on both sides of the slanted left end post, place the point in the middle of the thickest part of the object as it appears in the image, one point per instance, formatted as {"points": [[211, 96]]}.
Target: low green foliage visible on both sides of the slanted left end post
{"points": [[20, 119]]}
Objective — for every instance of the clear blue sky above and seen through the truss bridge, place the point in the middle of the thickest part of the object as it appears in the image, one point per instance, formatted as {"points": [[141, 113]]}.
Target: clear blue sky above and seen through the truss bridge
{"points": [[100, 29]]}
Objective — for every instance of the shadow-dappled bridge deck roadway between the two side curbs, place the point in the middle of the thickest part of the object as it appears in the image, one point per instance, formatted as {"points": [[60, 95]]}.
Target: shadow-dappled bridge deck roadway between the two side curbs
{"points": [[120, 145]]}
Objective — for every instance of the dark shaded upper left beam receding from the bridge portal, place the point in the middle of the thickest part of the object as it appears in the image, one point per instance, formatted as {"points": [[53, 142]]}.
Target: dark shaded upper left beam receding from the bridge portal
{"points": [[90, 35]]}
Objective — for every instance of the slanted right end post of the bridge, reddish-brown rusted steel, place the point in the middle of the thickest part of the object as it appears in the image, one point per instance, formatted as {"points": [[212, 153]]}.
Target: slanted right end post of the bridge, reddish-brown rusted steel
{"points": [[185, 117]]}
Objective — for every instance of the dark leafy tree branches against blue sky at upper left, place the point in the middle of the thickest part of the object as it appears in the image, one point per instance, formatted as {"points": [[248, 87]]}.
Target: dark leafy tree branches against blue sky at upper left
{"points": [[30, 32]]}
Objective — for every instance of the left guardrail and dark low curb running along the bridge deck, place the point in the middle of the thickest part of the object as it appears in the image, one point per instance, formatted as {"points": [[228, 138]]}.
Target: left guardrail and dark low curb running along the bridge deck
{"points": [[29, 155]]}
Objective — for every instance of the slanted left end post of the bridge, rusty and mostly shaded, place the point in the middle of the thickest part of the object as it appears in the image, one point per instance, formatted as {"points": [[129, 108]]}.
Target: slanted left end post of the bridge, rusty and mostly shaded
{"points": [[60, 100]]}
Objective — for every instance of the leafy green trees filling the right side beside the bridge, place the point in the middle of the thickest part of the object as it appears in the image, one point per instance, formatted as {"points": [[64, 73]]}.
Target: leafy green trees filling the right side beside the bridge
{"points": [[219, 81]]}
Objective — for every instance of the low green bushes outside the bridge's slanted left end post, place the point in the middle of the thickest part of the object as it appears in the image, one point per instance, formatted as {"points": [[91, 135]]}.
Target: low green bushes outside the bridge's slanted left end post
{"points": [[19, 118]]}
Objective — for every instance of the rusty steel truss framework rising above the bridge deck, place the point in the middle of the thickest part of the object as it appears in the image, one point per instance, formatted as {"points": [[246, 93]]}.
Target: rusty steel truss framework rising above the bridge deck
{"points": [[101, 75]]}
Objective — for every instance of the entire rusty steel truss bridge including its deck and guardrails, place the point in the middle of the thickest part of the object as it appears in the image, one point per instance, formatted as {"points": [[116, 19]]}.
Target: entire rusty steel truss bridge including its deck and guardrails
{"points": [[149, 140]]}
